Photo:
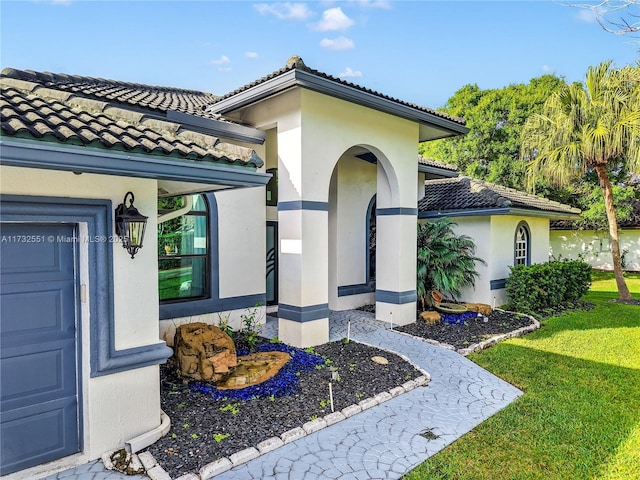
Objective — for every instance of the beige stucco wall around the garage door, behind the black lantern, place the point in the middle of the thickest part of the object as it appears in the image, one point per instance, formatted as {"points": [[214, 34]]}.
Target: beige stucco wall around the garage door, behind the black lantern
{"points": [[130, 400]]}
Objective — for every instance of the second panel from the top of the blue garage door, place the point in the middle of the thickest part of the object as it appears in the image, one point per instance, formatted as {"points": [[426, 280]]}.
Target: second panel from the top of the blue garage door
{"points": [[37, 309]]}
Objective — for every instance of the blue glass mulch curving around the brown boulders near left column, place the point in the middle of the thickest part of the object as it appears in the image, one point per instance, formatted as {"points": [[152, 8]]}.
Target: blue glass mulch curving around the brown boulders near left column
{"points": [[283, 383]]}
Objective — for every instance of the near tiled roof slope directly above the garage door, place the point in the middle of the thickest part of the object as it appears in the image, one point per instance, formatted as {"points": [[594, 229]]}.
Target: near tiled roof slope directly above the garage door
{"points": [[30, 110]]}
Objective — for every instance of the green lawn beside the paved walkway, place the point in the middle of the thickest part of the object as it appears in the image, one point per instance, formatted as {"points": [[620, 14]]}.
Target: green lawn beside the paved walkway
{"points": [[580, 415]]}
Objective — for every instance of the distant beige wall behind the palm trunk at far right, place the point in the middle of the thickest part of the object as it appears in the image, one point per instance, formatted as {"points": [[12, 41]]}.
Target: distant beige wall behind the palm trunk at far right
{"points": [[594, 248]]}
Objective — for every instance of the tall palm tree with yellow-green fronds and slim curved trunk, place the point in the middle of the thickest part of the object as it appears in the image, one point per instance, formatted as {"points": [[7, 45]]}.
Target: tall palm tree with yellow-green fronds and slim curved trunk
{"points": [[595, 126]]}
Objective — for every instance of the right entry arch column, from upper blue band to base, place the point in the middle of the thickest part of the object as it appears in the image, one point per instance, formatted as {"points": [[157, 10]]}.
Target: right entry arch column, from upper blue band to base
{"points": [[396, 265]]}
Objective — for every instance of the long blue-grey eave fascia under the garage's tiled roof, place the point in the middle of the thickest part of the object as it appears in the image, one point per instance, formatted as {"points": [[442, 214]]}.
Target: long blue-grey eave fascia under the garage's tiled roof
{"points": [[29, 154]]}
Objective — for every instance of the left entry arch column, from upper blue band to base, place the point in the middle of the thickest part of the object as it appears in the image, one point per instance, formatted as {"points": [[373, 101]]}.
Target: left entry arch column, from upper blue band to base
{"points": [[303, 307]]}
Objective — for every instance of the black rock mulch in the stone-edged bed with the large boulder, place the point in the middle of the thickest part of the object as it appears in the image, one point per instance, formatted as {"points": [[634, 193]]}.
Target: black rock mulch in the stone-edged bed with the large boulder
{"points": [[204, 430]]}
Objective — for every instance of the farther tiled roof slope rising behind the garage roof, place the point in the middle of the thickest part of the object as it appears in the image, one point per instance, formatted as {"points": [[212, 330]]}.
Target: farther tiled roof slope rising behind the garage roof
{"points": [[145, 97]]}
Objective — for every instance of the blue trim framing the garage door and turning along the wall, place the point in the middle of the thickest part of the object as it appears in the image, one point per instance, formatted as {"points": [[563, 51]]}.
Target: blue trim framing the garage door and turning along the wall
{"points": [[97, 214]]}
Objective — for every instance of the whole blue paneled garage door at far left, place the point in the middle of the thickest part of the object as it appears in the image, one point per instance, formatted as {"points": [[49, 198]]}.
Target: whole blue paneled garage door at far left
{"points": [[38, 373]]}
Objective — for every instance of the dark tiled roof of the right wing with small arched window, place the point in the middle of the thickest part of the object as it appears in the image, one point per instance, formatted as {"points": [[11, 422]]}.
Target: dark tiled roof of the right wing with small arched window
{"points": [[468, 194]]}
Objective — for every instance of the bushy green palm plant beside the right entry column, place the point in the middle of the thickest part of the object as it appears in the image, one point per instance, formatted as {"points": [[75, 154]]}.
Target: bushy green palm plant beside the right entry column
{"points": [[446, 261]]}
